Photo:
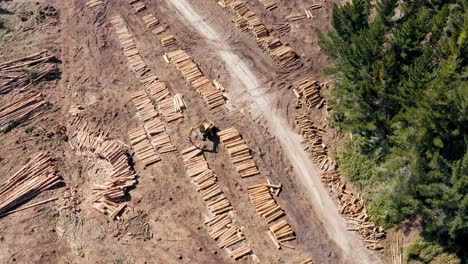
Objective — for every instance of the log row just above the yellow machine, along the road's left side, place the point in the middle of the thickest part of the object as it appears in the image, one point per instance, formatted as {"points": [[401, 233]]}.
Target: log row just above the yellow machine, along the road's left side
{"points": [[202, 85]]}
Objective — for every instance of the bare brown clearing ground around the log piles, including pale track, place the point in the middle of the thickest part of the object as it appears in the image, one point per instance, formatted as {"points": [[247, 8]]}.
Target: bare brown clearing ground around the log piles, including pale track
{"points": [[164, 220]]}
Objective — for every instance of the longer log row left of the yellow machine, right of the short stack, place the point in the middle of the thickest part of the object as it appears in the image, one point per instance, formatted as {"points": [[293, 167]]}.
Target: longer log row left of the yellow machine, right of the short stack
{"points": [[160, 140]]}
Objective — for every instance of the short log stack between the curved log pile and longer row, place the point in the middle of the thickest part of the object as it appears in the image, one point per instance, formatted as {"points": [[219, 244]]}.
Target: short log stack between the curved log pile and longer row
{"points": [[142, 147]]}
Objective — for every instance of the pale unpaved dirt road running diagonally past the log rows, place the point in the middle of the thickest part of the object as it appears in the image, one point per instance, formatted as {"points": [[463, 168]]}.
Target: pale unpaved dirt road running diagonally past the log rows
{"points": [[323, 205]]}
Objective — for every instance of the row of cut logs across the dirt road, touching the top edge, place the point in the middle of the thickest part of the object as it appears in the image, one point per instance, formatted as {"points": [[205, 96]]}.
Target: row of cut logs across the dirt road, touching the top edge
{"points": [[246, 19]]}
